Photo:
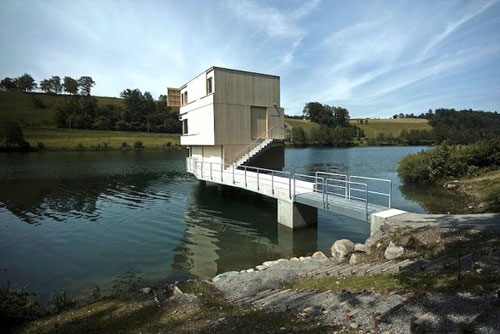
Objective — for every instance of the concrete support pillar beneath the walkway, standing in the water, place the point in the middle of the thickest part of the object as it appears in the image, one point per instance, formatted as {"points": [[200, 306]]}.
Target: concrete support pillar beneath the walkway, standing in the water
{"points": [[295, 215]]}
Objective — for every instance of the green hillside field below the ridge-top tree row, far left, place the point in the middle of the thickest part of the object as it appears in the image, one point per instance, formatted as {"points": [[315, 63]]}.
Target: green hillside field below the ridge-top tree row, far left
{"points": [[19, 107]]}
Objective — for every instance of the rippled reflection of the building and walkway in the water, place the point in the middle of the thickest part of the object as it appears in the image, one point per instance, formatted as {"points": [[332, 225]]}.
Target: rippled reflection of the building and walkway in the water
{"points": [[232, 229]]}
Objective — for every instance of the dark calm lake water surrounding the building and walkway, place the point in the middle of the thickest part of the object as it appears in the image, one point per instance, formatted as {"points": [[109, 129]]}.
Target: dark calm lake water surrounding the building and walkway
{"points": [[69, 220]]}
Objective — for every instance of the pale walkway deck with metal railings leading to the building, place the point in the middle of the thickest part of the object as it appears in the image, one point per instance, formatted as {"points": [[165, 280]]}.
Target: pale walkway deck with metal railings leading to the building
{"points": [[327, 185]]}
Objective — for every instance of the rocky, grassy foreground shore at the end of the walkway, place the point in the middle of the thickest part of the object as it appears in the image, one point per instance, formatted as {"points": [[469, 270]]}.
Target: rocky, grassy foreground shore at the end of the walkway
{"points": [[417, 274]]}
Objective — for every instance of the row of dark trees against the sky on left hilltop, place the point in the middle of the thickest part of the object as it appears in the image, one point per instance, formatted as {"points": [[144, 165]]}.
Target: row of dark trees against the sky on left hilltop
{"points": [[52, 85]]}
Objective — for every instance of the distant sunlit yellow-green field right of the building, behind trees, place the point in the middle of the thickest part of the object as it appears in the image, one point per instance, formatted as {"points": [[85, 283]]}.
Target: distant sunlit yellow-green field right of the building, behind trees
{"points": [[374, 126]]}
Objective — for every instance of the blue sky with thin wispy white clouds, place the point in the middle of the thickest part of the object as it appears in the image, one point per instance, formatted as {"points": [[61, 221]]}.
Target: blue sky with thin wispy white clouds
{"points": [[375, 58]]}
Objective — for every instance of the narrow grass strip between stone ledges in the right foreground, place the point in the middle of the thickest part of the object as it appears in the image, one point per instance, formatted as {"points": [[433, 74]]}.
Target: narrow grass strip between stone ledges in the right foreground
{"points": [[440, 283]]}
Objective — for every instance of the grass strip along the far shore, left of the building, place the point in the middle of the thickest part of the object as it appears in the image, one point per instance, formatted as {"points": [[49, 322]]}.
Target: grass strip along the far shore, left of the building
{"points": [[64, 139]]}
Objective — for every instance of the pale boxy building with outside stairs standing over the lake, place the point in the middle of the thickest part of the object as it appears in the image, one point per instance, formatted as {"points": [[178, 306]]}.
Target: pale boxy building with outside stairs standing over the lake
{"points": [[226, 113]]}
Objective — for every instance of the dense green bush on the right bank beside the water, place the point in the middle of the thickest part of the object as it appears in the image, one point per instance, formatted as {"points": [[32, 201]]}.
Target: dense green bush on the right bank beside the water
{"points": [[445, 162]]}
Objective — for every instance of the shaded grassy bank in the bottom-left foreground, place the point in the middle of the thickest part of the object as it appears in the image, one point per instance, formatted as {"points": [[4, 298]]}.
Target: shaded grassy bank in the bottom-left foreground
{"points": [[205, 313]]}
